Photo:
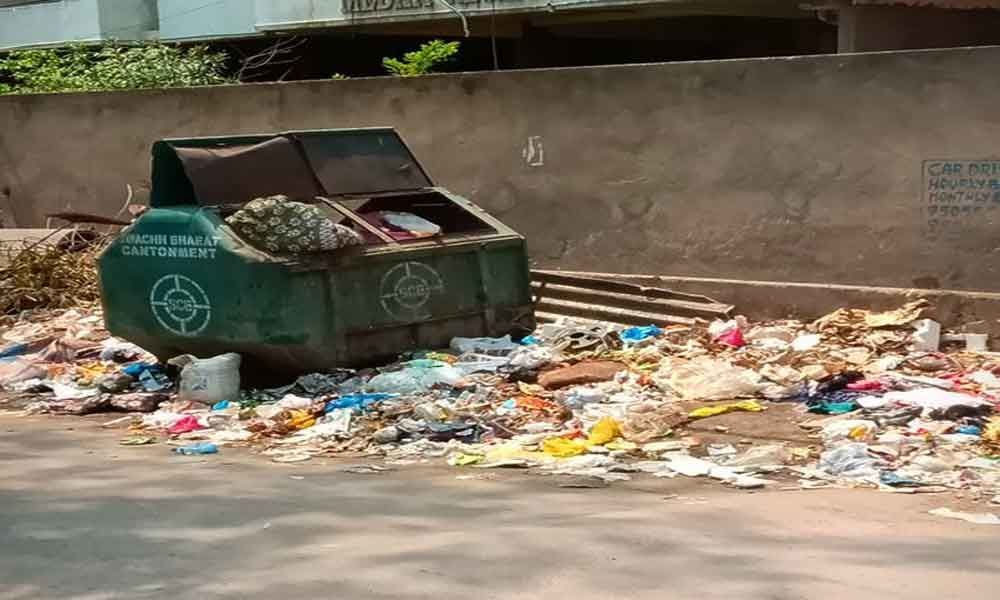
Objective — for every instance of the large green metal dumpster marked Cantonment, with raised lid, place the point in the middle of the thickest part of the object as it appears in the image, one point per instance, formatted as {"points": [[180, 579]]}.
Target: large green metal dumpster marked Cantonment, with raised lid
{"points": [[179, 280]]}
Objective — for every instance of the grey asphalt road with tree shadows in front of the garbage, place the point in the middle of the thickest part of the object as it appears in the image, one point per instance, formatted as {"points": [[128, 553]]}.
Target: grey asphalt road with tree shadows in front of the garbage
{"points": [[84, 518]]}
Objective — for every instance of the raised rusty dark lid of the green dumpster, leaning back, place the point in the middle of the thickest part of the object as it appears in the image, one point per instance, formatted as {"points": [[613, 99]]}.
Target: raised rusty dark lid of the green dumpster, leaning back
{"points": [[299, 164]]}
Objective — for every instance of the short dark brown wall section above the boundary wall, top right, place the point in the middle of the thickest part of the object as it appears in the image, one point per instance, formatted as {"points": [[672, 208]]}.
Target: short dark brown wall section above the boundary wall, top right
{"points": [[874, 28]]}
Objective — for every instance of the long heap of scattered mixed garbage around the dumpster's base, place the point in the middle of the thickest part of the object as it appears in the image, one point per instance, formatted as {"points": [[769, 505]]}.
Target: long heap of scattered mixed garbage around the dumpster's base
{"points": [[878, 402]]}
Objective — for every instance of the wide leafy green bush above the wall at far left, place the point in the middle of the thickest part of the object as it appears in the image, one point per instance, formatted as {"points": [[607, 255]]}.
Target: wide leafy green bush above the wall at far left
{"points": [[110, 67]]}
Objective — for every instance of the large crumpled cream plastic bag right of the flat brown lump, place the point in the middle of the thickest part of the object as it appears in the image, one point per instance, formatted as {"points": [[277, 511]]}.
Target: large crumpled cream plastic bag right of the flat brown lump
{"points": [[709, 379]]}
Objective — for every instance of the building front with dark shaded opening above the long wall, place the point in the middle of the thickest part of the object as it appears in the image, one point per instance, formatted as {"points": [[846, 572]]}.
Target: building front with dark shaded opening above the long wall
{"points": [[534, 32]]}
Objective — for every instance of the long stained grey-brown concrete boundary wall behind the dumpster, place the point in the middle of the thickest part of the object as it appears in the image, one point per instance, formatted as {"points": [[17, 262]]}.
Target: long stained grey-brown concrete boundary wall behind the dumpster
{"points": [[806, 169]]}
